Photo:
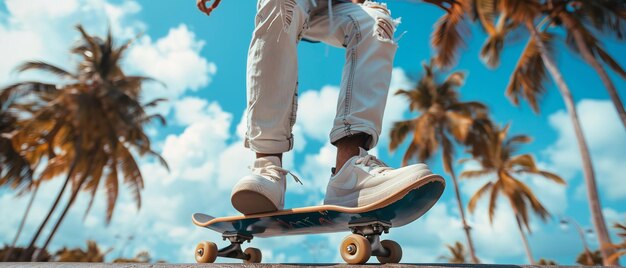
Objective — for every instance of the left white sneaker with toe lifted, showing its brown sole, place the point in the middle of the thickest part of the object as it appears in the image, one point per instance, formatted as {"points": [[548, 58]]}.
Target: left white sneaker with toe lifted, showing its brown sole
{"points": [[264, 189]]}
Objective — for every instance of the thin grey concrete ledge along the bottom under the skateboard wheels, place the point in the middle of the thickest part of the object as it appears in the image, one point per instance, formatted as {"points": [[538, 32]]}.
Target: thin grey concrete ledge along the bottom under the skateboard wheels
{"points": [[140, 265]]}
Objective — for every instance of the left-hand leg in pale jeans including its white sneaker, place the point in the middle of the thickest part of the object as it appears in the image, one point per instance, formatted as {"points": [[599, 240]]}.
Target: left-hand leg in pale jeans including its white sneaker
{"points": [[271, 103]]}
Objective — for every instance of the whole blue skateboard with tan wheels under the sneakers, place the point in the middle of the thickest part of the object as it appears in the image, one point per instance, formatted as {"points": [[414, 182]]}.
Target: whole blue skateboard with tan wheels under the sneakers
{"points": [[367, 224]]}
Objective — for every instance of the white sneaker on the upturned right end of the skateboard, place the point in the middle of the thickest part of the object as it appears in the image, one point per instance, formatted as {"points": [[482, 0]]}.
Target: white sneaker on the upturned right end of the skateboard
{"points": [[364, 180]]}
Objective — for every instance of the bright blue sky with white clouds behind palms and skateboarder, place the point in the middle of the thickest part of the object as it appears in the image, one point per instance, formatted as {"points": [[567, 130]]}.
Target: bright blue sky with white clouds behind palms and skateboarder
{"points": [[203, 59]]}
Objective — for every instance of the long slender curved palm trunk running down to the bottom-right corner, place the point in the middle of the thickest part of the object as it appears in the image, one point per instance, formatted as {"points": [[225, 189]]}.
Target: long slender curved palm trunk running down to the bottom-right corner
{"points": [[592, 189]]}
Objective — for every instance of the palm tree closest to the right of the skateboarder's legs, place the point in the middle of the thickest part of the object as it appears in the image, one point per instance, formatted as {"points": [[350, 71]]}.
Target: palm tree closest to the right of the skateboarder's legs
{"points": [[443, 119]]}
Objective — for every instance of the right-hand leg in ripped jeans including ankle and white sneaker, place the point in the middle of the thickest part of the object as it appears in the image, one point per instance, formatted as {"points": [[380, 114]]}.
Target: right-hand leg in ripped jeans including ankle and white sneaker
{"points": [[366, 31]]}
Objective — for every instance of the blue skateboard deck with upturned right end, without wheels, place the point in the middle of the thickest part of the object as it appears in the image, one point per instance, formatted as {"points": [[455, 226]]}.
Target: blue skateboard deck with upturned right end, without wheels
{"points": [[401, 208]]}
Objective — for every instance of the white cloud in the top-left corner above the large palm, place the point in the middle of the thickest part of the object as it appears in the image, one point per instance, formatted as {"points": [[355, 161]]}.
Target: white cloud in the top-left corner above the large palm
{"points": [[44, 31]]}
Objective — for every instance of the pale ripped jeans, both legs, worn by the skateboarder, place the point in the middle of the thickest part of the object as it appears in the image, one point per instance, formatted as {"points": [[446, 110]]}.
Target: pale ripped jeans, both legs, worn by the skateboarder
{"points": [[366, 31]]}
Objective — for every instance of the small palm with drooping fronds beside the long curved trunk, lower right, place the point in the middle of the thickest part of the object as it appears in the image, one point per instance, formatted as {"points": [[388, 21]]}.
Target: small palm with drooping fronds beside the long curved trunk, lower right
{"points": [[499, 160]]}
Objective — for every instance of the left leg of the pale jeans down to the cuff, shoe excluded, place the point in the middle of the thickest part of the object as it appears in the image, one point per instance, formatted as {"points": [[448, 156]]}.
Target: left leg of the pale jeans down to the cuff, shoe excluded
{"points": [[272, 75]]}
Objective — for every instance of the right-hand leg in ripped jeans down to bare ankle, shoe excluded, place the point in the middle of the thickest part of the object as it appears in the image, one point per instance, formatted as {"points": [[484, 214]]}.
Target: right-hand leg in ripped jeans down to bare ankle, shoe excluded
{"points": [[366, 31]]}
